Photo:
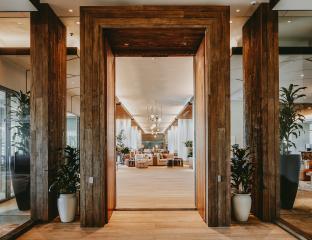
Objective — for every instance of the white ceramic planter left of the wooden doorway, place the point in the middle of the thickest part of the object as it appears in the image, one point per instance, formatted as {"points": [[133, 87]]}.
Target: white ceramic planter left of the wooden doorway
{"points": [[66, 204]]}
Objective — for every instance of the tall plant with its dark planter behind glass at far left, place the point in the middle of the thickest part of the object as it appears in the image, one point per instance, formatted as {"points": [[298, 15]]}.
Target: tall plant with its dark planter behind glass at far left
{"points": [[20, 162]]}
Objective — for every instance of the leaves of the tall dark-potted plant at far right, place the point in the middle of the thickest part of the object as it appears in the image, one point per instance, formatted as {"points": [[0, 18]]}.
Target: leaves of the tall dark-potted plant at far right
{"points": [[290, 119]]}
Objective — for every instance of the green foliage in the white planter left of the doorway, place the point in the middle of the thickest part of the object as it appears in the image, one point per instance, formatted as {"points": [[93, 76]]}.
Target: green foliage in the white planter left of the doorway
{"points": [[67, 178]]}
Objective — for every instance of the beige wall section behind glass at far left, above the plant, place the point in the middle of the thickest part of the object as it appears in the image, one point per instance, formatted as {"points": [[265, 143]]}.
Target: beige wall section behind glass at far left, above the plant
{"points": [[12, 76]]}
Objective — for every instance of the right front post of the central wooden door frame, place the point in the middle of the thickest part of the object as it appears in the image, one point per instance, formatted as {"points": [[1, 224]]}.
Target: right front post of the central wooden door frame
{"points": [[218, 120]]}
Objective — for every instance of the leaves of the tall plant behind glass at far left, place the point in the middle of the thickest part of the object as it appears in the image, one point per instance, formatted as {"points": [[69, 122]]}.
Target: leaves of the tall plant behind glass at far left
{"points": [[20, 117]]}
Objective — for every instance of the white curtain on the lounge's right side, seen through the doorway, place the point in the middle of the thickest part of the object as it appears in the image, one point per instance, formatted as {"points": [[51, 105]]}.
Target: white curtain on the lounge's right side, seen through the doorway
{"points": [[185, 133]]}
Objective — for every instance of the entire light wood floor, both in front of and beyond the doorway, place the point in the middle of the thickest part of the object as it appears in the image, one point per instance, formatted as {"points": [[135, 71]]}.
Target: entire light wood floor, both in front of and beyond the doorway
{"points": [[156, 188]]}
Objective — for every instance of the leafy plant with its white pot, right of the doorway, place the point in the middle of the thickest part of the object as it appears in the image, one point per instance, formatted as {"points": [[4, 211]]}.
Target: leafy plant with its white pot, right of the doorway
{"points": [[242, 170]]}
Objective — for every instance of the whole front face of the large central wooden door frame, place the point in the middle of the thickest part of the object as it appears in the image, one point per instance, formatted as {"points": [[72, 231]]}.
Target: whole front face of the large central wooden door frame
{"points": [[94, 134]]}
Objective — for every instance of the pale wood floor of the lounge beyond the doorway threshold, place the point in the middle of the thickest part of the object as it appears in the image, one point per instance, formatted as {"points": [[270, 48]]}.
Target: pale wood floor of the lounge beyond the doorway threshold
{"points": [[155, 187]]}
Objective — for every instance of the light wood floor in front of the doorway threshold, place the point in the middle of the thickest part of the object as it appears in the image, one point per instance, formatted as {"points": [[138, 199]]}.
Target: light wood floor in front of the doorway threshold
{"points": [[156, 225]]}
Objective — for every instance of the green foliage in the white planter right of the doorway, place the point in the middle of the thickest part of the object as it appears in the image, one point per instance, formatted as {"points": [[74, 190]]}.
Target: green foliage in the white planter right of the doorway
{"points": [[242, 170]]}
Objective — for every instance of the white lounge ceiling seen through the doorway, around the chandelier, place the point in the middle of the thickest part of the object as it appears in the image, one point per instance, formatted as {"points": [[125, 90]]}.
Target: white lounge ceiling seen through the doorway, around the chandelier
{"points": [[144, 81]]}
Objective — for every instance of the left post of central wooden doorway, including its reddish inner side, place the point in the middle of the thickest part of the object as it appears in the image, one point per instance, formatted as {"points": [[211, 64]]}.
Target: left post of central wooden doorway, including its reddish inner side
{"points": [[97, 126]]}
